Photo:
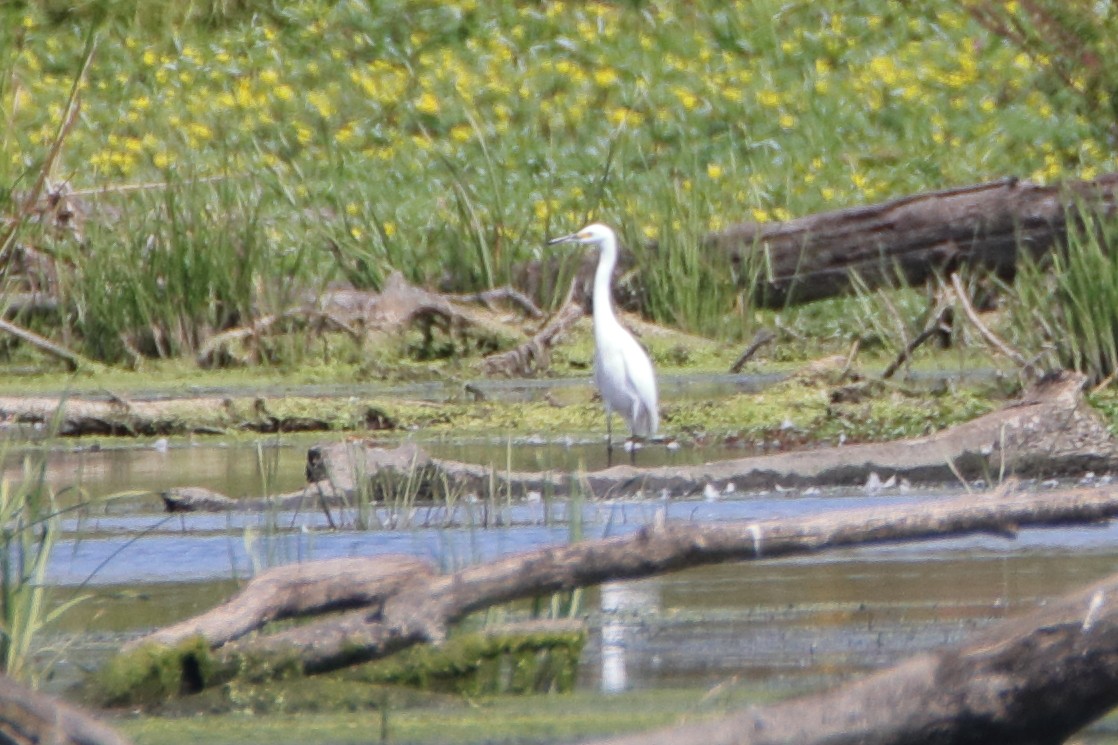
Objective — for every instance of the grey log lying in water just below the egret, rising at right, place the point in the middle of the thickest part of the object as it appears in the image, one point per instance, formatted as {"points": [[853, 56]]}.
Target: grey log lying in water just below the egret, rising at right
{"points": [[1049, 431]]}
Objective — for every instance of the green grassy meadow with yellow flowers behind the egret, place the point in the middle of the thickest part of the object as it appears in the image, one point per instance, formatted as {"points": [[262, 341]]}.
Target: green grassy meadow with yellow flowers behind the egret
{"points": [[231, 158]]}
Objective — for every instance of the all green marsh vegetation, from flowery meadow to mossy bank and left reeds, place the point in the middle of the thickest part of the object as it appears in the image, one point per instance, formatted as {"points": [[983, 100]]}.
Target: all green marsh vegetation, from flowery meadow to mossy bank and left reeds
{"points": [[173, 173]]}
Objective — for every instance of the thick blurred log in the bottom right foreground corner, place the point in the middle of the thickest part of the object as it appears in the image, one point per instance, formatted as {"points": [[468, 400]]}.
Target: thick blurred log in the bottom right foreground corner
{"points": [[1032, 681]]}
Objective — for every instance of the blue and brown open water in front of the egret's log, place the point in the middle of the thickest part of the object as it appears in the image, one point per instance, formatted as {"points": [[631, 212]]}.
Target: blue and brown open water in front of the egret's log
{"points": [[788, 621]]}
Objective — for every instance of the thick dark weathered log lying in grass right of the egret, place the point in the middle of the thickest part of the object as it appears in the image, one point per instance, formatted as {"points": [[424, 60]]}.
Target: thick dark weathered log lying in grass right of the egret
{"points": [[909, 240]]}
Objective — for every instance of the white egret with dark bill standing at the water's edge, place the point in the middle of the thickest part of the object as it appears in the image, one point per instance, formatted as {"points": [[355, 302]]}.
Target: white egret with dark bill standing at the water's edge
{"points": [[622, 370]]}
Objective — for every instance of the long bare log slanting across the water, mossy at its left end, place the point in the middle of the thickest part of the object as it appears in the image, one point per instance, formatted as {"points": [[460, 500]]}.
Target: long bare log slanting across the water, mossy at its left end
{"points": [[425, 608]]}
